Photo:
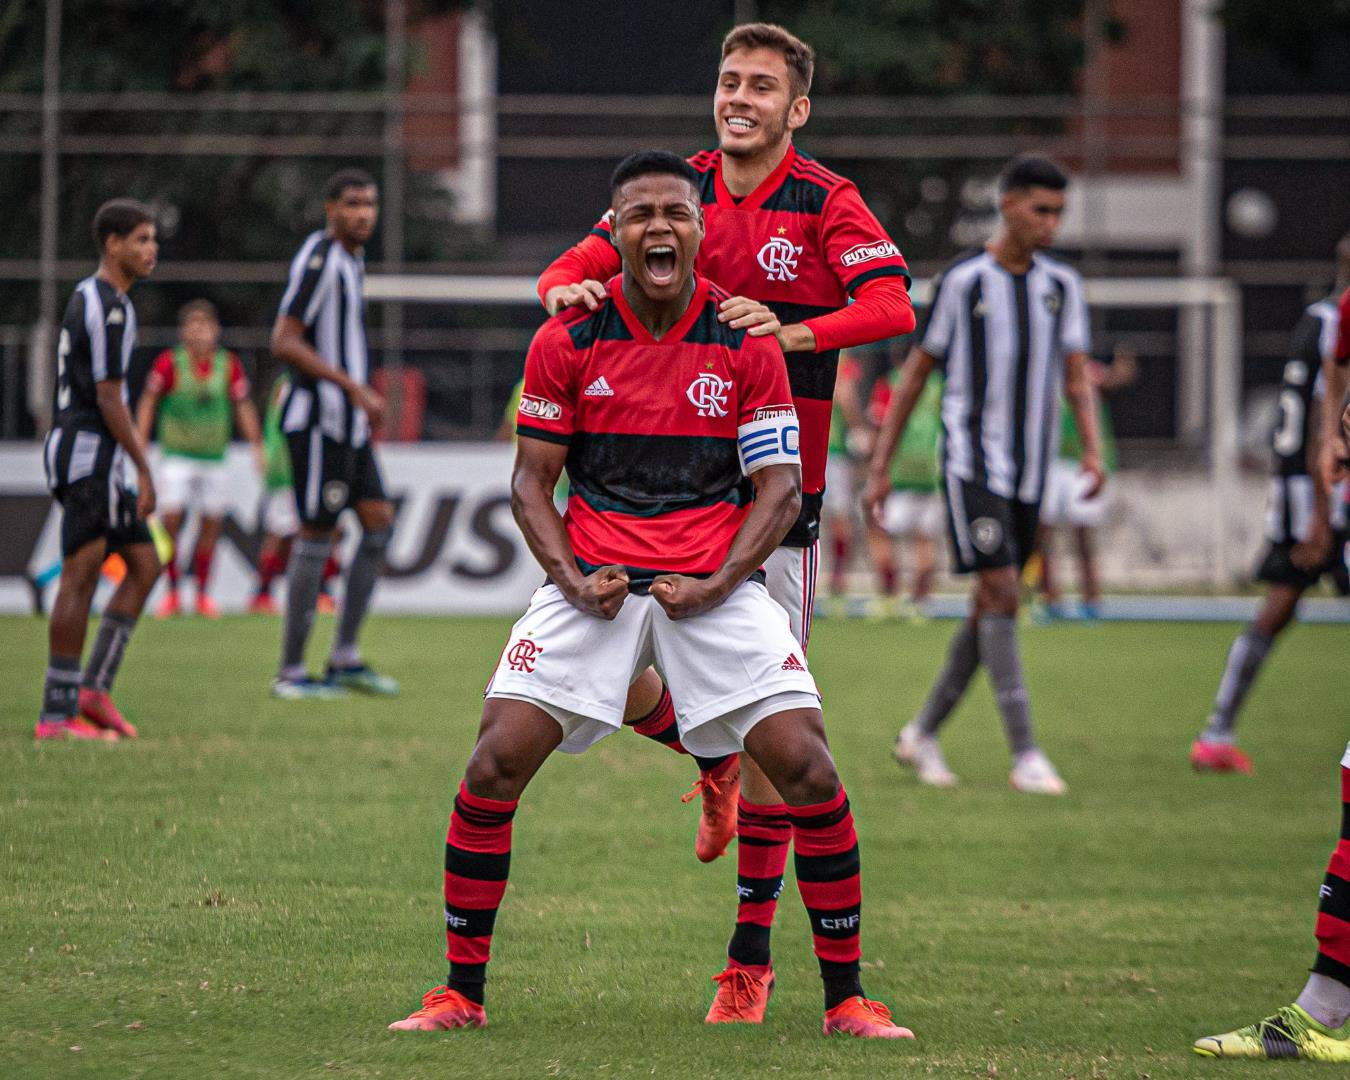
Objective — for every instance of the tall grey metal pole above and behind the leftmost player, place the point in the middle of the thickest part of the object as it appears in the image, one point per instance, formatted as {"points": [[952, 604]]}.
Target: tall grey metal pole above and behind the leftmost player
{"points": [[43, 352]]}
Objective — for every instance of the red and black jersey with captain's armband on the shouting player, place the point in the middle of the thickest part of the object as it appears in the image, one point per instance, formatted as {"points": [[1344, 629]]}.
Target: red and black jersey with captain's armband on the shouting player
{"points": [[661, 435]]}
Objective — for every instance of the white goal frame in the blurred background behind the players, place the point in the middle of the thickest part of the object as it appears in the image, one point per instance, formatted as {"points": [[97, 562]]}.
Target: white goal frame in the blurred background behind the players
{"points": [[1217, 508]]}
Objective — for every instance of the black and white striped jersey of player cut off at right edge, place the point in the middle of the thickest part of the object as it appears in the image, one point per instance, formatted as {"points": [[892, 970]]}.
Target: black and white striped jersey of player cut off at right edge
{"points": [[1290, 507]]}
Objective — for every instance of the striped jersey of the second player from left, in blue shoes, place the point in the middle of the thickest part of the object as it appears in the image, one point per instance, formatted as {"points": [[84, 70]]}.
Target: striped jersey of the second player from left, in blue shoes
{"points": [[325, 292]]}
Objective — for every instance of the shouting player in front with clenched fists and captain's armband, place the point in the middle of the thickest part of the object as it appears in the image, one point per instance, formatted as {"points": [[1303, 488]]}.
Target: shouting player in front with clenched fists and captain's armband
{"points": [[681, 443]]}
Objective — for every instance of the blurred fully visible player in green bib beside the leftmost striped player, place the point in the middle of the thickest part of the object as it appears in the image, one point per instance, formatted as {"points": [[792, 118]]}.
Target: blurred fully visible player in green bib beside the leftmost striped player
{"points": [[194, 396]]}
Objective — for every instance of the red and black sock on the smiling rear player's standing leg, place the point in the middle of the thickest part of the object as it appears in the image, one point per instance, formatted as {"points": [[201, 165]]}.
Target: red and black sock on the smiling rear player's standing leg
{"points": [[763, 835]]}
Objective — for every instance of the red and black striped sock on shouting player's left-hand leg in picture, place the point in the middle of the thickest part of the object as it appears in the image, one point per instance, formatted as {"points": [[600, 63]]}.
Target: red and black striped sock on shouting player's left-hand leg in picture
{"points": [[477, 865]]}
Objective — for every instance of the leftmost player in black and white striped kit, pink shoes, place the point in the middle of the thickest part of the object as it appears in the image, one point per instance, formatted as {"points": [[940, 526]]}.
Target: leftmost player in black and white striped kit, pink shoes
{"points": [[87, 452]]}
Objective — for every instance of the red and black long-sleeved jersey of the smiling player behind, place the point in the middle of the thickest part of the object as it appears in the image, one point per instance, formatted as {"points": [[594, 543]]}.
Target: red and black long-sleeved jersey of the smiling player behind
{"points": [[803, 244]]}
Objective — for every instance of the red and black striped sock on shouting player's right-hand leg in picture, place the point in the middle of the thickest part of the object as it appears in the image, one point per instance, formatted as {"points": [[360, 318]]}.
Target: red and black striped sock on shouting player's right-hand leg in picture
{"points": [[827, 862]]}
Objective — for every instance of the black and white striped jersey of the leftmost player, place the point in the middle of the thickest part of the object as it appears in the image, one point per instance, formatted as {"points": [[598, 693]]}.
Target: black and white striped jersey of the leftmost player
{"points": [[98, 337]]}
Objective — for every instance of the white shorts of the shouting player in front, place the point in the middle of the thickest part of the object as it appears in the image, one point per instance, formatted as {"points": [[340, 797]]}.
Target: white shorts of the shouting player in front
{"points": [[727, 669]]}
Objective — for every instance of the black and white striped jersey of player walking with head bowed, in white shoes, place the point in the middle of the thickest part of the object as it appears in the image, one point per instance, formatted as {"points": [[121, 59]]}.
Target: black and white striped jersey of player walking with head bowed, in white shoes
{"points": [[1002, 340]]}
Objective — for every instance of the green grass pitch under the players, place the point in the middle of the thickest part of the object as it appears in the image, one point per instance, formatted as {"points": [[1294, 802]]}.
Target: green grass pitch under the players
{"points": [[253, 889]]}
